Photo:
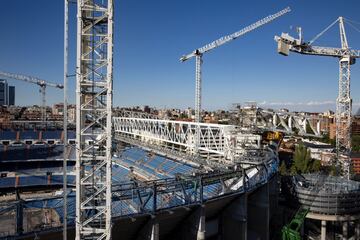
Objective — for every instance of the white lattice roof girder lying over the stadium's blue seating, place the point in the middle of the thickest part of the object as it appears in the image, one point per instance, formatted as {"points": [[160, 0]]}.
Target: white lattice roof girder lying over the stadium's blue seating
{"points": [[214, 138]]}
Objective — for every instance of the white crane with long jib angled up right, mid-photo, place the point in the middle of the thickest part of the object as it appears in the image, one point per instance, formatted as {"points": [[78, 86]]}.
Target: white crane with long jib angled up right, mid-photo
{"points": [[197, 53]]}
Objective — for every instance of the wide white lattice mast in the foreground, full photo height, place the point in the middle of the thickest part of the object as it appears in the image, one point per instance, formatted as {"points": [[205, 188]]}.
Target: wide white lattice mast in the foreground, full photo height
{"points": [[93, 118]]}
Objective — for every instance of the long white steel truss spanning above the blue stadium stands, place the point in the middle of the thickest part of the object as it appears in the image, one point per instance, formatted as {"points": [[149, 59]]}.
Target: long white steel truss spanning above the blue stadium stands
{"points": [[224, 143]]}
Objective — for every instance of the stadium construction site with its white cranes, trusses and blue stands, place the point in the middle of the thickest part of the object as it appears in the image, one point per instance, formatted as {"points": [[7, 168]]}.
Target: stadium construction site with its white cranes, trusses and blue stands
{"points": [[135, 175]]}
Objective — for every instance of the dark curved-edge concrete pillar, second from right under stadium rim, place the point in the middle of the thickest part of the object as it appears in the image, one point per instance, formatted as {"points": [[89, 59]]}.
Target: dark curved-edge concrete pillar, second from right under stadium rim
{"points": [[233, 220]]}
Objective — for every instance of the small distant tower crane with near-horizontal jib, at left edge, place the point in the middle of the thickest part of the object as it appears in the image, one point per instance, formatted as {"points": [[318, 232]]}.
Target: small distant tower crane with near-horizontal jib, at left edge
{"points": [[41, 83]]}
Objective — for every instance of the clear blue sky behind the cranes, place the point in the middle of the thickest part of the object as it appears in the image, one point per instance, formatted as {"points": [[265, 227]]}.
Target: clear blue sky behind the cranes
{"points": [[151, 36]]}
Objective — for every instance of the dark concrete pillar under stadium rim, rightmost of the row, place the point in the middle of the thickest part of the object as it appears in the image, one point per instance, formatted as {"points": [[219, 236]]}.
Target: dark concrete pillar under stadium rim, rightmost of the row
{"points": [[258, 213]]}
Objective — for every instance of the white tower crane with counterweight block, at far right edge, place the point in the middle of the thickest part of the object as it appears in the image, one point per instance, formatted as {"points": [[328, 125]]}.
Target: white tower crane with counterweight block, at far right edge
{"points": [[346, 57]]}
